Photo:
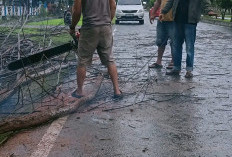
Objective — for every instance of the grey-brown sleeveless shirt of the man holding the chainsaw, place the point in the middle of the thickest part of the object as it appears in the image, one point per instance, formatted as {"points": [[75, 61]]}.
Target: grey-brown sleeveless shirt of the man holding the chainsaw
{"points": [[95, 13]]}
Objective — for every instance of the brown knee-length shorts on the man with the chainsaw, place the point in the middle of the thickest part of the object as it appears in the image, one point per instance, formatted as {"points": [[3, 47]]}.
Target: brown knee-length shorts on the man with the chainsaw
{"points": [[98, 38]]}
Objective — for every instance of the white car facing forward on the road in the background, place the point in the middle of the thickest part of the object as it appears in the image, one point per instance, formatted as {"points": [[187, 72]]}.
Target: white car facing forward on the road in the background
{"points": [[129, 10]]}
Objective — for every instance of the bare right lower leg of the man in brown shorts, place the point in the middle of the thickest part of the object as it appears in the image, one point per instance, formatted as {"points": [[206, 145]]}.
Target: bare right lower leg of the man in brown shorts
{"points": [[112, 70]]}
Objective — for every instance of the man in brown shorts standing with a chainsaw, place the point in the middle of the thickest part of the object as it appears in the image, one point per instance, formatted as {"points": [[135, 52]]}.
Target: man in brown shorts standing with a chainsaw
{"points": [[95, 34]]}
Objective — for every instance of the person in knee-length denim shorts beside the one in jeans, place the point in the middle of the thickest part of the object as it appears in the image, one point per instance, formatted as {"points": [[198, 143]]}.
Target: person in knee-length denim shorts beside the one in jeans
{"points": [[163, 33]]}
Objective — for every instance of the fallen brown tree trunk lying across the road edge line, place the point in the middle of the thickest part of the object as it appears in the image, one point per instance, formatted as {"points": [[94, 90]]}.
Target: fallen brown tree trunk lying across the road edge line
{"points": [[44, 115]]}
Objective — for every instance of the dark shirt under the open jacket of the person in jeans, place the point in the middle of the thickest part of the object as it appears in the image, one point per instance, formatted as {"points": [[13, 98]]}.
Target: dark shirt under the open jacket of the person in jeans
{"points": [[182, 12]]}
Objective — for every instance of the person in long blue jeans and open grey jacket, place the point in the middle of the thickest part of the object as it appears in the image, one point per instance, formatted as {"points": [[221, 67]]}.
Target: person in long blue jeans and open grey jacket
{"points": [[186, 14]]}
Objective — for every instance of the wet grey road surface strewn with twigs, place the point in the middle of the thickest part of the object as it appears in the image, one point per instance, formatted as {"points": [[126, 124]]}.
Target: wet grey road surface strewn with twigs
{"points": [[159, 116]]}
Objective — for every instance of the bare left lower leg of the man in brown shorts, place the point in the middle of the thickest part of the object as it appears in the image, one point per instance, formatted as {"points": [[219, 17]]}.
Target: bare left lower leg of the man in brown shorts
{"points": [[81, 74]]}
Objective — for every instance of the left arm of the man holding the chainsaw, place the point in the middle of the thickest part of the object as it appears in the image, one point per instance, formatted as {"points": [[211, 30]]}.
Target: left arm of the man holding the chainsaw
{"points": [[76, 15]]}
